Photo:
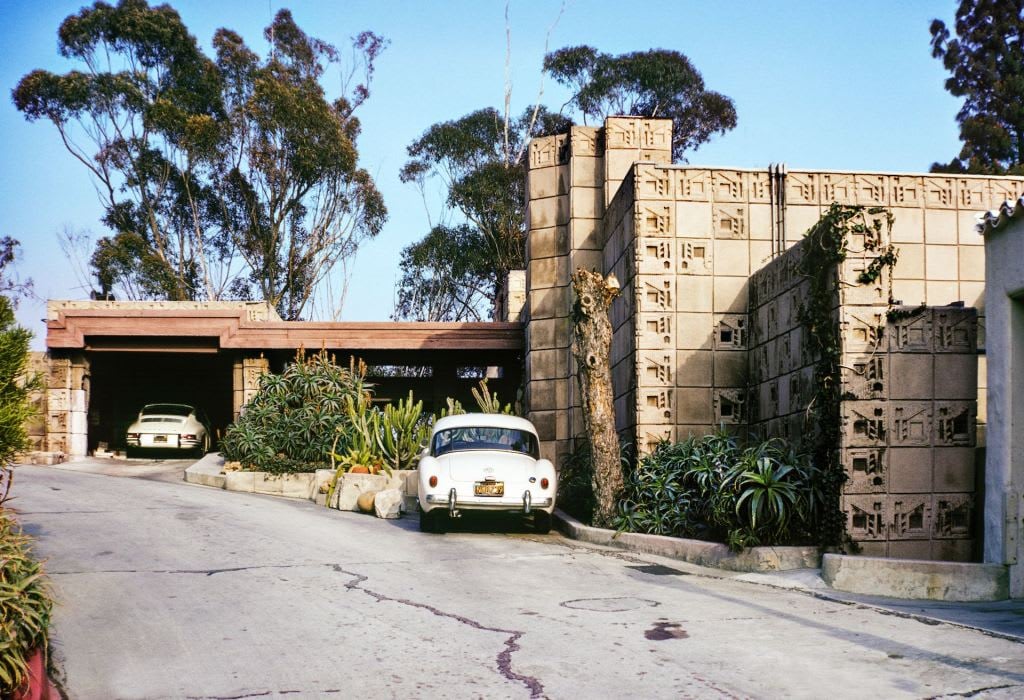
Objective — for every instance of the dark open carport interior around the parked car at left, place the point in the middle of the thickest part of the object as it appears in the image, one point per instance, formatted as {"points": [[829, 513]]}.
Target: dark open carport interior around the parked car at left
{"points": [[121, 383]]}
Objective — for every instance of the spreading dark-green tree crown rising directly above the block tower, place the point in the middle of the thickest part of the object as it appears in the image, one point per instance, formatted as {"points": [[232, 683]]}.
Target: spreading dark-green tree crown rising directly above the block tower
{"points": [[655, 83]]}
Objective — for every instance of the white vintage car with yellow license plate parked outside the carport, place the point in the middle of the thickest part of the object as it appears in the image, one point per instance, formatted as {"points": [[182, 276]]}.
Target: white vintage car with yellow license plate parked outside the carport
{"points": [[485, 462]]}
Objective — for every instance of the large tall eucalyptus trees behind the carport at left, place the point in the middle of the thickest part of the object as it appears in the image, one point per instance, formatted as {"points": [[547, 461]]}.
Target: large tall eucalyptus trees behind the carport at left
{"points": [[226, 178]]}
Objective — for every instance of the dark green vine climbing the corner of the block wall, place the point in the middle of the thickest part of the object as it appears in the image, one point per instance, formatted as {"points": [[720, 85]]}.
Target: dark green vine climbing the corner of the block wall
{"points": [[826, 248]]}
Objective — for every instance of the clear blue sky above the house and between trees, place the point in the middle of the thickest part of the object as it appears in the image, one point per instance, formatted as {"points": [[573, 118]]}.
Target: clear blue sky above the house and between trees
{"points": [[818, 84]]}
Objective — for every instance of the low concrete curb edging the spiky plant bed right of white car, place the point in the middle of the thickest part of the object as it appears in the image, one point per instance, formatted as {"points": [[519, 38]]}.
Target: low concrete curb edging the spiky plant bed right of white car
{"points": [[695, 551]]}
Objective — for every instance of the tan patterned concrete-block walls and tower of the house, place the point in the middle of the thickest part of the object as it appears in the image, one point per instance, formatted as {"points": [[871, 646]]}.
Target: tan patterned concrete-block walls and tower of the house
{"points": [[706, 329]]}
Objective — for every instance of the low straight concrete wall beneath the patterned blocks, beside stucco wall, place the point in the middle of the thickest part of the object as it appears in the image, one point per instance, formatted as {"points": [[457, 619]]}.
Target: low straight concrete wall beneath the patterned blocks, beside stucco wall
{"points": [[916, 580]]}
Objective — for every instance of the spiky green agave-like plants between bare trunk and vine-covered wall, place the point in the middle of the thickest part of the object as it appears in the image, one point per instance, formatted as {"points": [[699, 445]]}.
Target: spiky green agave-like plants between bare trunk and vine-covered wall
{"points": [[714, 488]]}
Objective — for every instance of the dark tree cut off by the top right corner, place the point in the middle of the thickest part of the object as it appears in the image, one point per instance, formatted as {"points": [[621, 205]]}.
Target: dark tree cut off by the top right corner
{"points": [[986, 61]]}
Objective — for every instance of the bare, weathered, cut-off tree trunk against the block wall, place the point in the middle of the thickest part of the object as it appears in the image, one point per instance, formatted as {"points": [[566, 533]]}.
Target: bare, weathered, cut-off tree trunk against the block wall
{"points": [[592, 349]]}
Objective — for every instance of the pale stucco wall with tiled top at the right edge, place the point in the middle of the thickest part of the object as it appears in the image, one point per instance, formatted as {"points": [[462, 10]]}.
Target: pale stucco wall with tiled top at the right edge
{"points": [[1004, 234]]}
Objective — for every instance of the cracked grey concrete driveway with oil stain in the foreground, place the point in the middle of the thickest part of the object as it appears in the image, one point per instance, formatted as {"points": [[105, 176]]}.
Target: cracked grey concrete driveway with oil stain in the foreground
{"points": [[174, 591]]}
